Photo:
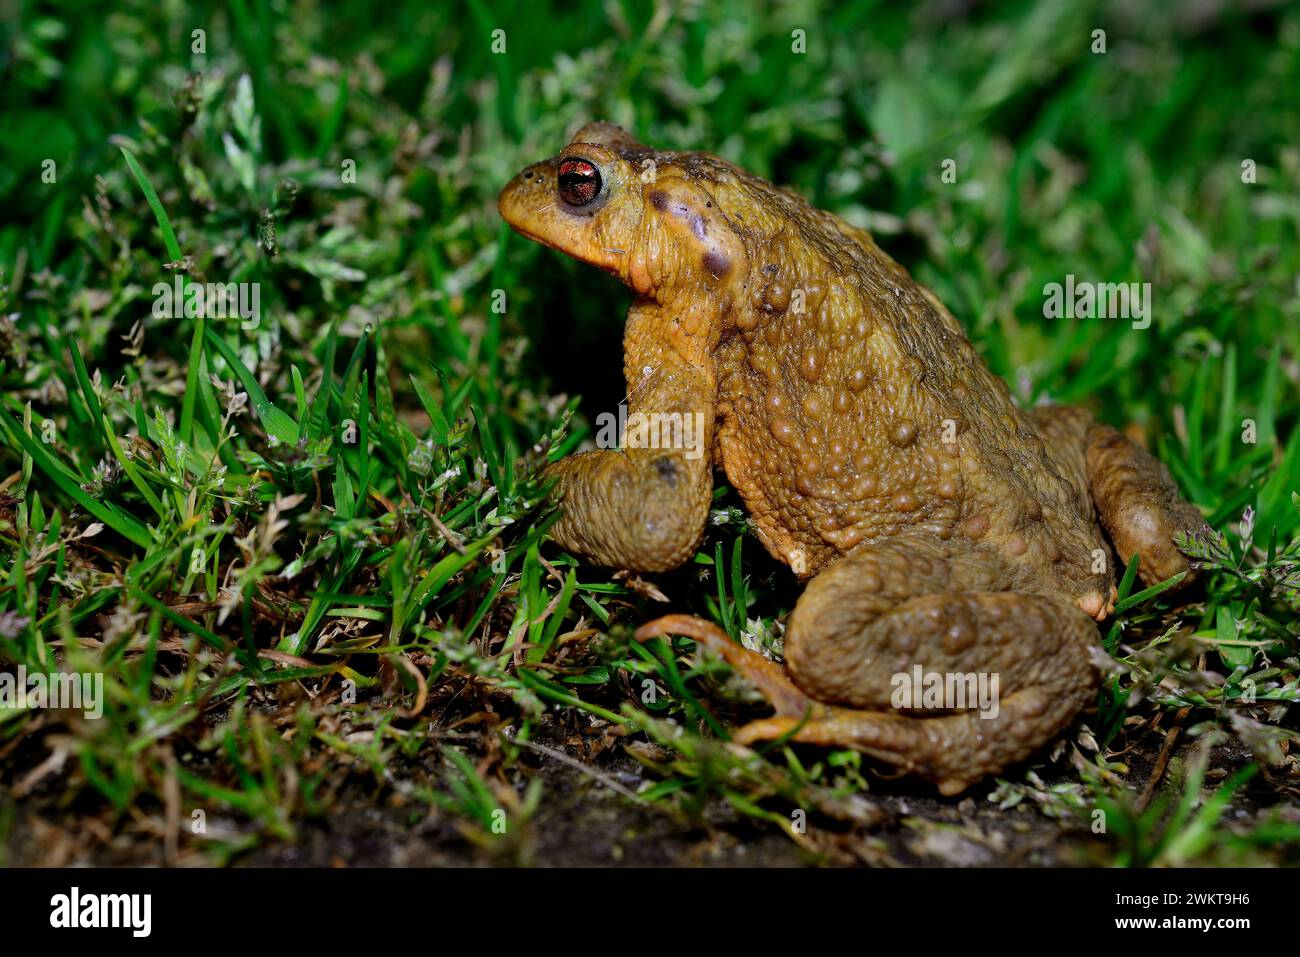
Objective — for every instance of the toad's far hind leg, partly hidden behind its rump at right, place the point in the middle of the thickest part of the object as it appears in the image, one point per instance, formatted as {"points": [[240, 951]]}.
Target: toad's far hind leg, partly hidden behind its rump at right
{"points": [[1139, 505]]}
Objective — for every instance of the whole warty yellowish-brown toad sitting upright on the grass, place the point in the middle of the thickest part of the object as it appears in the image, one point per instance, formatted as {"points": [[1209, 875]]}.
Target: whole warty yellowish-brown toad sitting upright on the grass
{"points": [[943, 527]]}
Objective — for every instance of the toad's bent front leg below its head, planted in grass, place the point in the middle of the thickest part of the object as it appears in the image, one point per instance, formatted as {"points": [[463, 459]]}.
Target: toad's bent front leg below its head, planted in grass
{"points": [[644, 506]]}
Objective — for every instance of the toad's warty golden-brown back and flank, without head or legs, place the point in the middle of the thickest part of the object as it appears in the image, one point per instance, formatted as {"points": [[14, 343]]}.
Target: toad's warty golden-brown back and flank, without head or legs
{"points": [[852, 406]]}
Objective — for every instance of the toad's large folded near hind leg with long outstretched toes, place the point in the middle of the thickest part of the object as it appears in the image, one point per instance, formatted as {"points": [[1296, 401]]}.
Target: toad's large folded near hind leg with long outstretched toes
{"points": [[1017, 664]]}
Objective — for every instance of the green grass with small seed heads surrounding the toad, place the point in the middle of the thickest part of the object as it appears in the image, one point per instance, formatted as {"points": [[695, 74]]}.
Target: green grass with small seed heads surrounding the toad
{"points": [[279, 543]]}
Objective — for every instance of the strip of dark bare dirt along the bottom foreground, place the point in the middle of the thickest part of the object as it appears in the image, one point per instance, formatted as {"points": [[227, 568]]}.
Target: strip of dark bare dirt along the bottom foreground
{"points": [[583, 822]]}
